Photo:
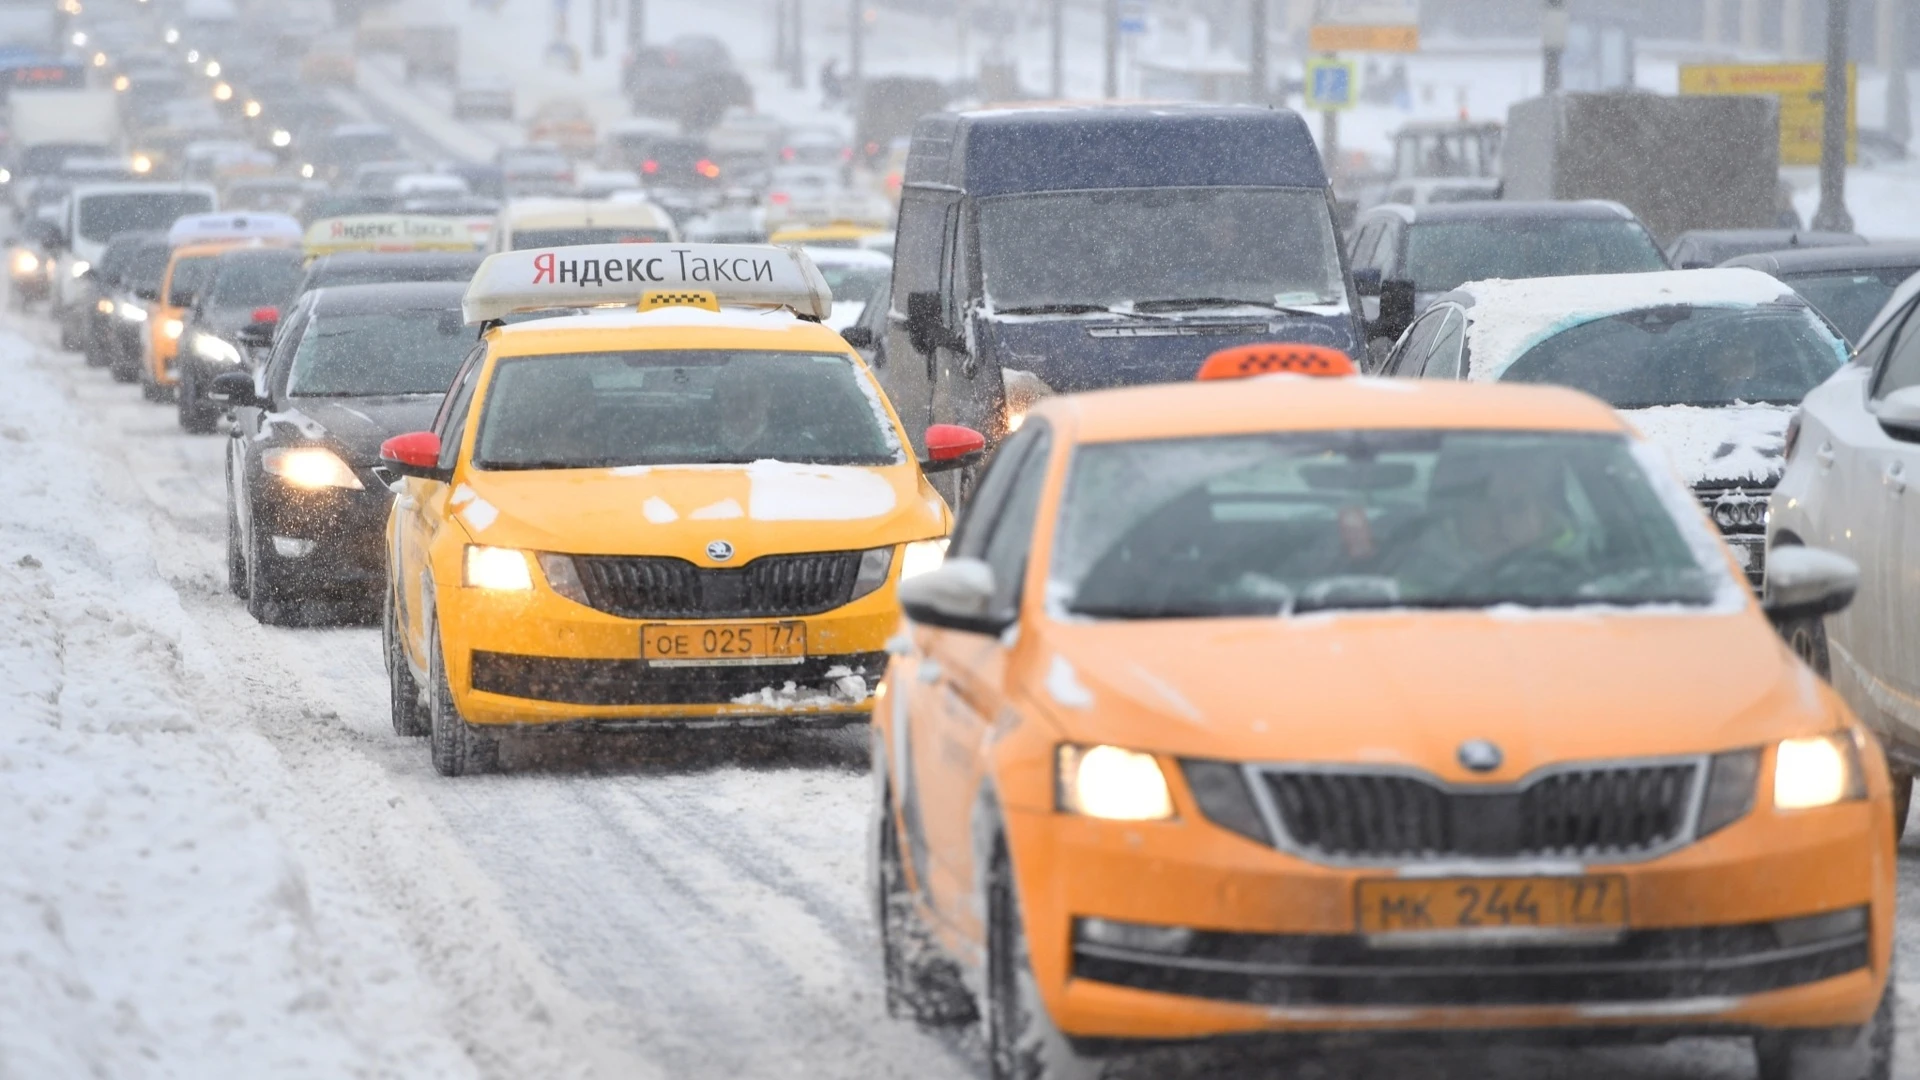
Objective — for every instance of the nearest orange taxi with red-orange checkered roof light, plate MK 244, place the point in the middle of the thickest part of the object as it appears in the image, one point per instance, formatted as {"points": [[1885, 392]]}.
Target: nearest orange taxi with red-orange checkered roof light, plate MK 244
{"points": [[1337, 708]]}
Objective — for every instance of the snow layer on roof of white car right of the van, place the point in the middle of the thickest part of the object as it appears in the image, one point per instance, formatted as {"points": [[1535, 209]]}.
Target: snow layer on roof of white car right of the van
{"points": [[1514, 316]]}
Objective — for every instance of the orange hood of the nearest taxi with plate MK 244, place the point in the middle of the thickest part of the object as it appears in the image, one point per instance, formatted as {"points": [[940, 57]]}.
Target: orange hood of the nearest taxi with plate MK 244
{"points": [[1408, 689]]}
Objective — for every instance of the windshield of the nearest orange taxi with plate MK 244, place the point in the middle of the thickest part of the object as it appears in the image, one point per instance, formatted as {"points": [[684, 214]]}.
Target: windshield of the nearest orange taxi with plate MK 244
{"points": [[1291, 524]]}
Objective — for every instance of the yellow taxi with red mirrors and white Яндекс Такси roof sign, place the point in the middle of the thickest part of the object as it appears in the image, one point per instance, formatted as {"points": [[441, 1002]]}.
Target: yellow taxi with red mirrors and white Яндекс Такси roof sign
{"points": [[694, 506]]}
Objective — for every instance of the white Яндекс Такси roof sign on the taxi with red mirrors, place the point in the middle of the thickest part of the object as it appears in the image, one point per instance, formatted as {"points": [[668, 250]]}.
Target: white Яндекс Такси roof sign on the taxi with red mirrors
{"points": [[596, 276]]}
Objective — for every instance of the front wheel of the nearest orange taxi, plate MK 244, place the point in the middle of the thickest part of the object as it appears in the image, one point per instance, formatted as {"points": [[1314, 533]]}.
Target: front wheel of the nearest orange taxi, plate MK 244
{"points": [[1022, 1041]]}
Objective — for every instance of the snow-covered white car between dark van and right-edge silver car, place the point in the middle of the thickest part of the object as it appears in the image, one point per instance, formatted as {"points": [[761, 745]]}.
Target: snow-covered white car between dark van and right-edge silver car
{"points": [[1706, 364]]}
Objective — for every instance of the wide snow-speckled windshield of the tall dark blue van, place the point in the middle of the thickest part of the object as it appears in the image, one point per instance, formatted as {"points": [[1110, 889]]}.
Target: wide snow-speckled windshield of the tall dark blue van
{"points": [[1101, 249]]}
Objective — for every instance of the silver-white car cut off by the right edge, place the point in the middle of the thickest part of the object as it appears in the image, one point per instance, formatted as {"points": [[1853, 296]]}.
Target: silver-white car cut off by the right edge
{"points": [[1854, 485]]}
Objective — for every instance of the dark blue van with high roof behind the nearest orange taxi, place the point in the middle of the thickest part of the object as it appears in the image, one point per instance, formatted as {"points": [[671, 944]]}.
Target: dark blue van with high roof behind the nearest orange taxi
{"points": [[1084, 247]]}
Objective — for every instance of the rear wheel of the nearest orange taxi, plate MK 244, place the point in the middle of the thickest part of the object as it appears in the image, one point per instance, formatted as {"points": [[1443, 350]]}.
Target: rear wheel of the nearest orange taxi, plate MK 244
{"points": [[923, 983]]}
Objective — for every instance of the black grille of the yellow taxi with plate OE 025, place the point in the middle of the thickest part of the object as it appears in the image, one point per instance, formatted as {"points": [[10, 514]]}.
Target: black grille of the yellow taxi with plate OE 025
{"points": [[675, 589]]}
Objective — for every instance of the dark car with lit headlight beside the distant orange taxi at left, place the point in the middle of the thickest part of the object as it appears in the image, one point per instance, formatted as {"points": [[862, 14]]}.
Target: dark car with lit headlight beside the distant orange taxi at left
{"points": [[229, 318]]}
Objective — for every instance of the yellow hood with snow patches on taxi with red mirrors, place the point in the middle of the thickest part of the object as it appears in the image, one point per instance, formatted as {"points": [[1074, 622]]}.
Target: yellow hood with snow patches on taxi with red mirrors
{"points": [[679, 510]]}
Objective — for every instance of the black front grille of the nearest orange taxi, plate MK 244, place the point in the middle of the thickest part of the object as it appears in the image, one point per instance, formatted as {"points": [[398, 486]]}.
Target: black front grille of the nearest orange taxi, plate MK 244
{"points": [[1602, 812]]}
